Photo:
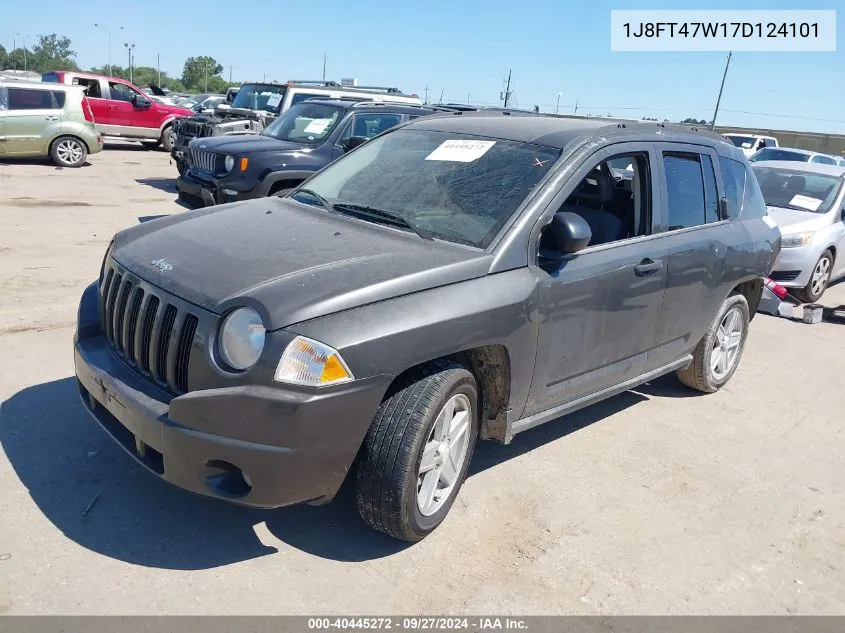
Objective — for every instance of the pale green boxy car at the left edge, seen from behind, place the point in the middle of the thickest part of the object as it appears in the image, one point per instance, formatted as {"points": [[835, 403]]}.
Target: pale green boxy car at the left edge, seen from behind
{"points": [[38, 119]]}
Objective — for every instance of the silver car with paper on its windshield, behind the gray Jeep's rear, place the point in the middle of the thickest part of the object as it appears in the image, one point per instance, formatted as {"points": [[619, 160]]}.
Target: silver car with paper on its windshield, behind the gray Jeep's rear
{"points": [[807, 201]]}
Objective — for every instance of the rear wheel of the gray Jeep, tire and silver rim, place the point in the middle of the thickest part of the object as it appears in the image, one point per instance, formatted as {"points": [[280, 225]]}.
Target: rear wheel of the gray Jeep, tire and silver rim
{"points": [[717, 355]]}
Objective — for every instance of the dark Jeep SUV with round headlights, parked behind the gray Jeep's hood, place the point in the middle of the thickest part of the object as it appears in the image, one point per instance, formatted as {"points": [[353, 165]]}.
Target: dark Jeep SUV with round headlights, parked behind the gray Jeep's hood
{"points": [[303, 140]]}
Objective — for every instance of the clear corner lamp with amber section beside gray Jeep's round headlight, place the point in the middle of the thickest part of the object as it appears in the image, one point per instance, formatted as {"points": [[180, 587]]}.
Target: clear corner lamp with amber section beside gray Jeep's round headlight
{"points": [[309, 362]]}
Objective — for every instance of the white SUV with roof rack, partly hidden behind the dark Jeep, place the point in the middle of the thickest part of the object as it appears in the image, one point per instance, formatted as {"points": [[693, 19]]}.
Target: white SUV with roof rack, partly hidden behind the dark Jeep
{"points": [[256, 105]]}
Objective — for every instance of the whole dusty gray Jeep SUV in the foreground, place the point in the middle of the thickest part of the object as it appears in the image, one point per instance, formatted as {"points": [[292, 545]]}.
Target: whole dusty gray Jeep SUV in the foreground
{"points": [[463, 276]]}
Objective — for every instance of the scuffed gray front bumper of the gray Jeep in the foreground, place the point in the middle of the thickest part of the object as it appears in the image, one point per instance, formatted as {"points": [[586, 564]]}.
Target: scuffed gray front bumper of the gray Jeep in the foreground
{"points": [[293, 446]]}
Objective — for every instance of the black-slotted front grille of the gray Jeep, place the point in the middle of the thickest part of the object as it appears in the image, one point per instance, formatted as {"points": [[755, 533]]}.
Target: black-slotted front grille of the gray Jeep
{"points": [[147, 331]]}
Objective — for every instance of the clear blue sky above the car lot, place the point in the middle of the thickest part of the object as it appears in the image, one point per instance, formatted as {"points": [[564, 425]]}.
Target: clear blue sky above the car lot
{"points": [[462, 48]]}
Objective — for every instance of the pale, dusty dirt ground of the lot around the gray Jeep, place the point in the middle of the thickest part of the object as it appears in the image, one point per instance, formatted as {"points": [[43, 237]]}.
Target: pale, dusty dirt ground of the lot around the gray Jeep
{"points": [[657, 501]]}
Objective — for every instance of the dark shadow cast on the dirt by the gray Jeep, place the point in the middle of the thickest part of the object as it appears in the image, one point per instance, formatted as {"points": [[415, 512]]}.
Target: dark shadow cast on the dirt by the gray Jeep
{"points": [[65, 461]]}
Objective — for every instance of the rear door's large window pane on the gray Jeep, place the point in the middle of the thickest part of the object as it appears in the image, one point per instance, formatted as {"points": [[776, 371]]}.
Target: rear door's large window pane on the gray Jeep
{"points": [[685, 189]]}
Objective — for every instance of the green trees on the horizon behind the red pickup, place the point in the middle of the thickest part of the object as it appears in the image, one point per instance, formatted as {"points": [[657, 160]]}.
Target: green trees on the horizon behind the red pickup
{"points": [[55, 52]]}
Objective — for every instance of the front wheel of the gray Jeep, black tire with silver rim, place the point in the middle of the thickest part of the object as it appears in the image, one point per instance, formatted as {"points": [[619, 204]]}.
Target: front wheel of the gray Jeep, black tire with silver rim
{"points": [[417, 451]]}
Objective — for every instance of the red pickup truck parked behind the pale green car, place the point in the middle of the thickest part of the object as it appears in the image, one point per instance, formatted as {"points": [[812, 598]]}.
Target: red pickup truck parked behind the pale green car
{"points": [[121, 109]]}
